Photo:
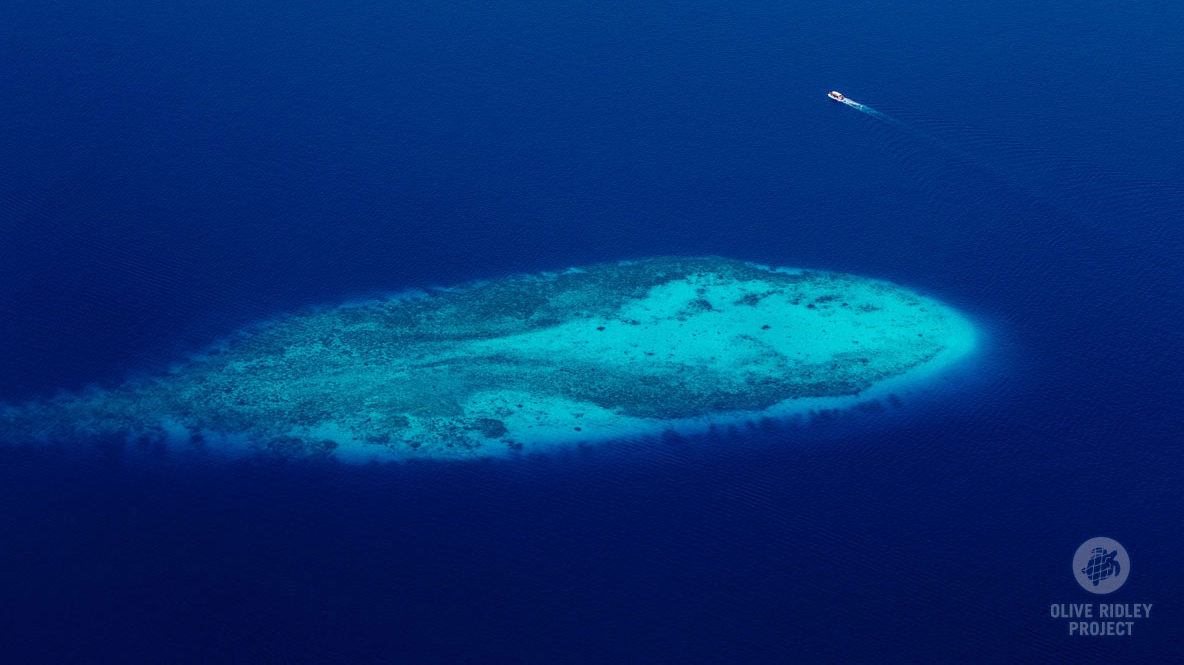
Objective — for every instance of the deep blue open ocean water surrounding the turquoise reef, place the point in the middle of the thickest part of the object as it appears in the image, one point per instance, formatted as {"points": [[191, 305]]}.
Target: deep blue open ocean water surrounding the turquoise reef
{"points": [[173, 172]]}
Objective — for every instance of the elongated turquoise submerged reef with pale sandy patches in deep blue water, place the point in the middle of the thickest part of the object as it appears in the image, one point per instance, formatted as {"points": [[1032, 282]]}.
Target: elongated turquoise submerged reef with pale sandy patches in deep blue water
{"points": [[517, 364]]}
